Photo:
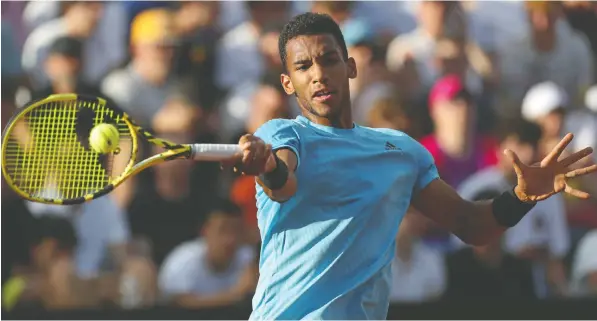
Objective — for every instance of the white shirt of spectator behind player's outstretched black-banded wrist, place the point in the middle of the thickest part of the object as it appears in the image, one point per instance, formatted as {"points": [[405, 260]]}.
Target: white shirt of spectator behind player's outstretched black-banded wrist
{"points": [[544, 226]]}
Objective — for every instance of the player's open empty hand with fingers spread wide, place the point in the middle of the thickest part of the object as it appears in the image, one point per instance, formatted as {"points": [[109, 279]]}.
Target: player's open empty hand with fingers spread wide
{"points": [[542, 180]]}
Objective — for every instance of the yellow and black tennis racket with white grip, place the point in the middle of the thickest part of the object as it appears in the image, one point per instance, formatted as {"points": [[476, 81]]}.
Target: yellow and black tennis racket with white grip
{"points": [[47, 157]]}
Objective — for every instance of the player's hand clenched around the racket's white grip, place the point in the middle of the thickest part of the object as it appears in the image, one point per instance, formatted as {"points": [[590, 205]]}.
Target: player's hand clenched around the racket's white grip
{"points": [[256, 156]]}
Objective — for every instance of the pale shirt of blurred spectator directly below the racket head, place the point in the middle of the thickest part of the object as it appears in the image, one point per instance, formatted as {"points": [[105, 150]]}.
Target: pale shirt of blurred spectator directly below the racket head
{"points": [[98, 225]]}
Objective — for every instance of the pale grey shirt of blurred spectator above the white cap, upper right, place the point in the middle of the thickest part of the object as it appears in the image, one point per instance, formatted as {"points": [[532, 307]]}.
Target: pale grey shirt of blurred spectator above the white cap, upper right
{"points": [[569, 65]]}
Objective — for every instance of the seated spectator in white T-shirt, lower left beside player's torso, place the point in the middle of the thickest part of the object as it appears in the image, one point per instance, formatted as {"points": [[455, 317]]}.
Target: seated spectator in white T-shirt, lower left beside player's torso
{"points": [[214, 270]]}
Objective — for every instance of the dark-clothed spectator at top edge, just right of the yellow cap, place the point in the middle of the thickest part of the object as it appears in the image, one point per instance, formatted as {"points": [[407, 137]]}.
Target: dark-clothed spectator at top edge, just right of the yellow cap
{"points": [[195, 24]]}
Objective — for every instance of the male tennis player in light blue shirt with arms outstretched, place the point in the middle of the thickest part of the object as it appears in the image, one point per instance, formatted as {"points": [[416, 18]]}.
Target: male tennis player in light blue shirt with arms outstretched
{"points": [[331, 194]]}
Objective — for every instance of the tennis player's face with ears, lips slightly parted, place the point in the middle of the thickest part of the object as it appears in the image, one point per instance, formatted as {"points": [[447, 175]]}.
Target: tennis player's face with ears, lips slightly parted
{"points": [[318, 75]]}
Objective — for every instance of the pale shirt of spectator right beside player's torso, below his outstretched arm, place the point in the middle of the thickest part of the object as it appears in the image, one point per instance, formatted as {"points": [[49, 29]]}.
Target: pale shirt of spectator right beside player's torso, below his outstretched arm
{"points": [[421, 279]]}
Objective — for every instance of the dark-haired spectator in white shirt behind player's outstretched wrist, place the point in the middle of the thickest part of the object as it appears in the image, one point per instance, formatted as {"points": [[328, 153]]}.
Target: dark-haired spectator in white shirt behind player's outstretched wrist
{"points": [[542, 235]]}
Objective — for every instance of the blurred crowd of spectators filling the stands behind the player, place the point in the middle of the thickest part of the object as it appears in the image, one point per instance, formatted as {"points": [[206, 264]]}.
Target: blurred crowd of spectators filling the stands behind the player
{"points": [[466, 78]]}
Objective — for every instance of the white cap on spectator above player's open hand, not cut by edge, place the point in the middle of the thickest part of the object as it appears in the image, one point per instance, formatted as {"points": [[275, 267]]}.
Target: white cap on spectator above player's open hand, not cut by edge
{"points": [[542, 99]]}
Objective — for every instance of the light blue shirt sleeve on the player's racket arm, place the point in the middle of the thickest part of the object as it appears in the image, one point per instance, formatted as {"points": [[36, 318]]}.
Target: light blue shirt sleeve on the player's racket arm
{"points": [[280, 133]]}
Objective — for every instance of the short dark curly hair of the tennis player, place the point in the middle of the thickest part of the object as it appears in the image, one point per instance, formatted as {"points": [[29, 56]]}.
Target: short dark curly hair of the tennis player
{"points": [[310, 24]]}
